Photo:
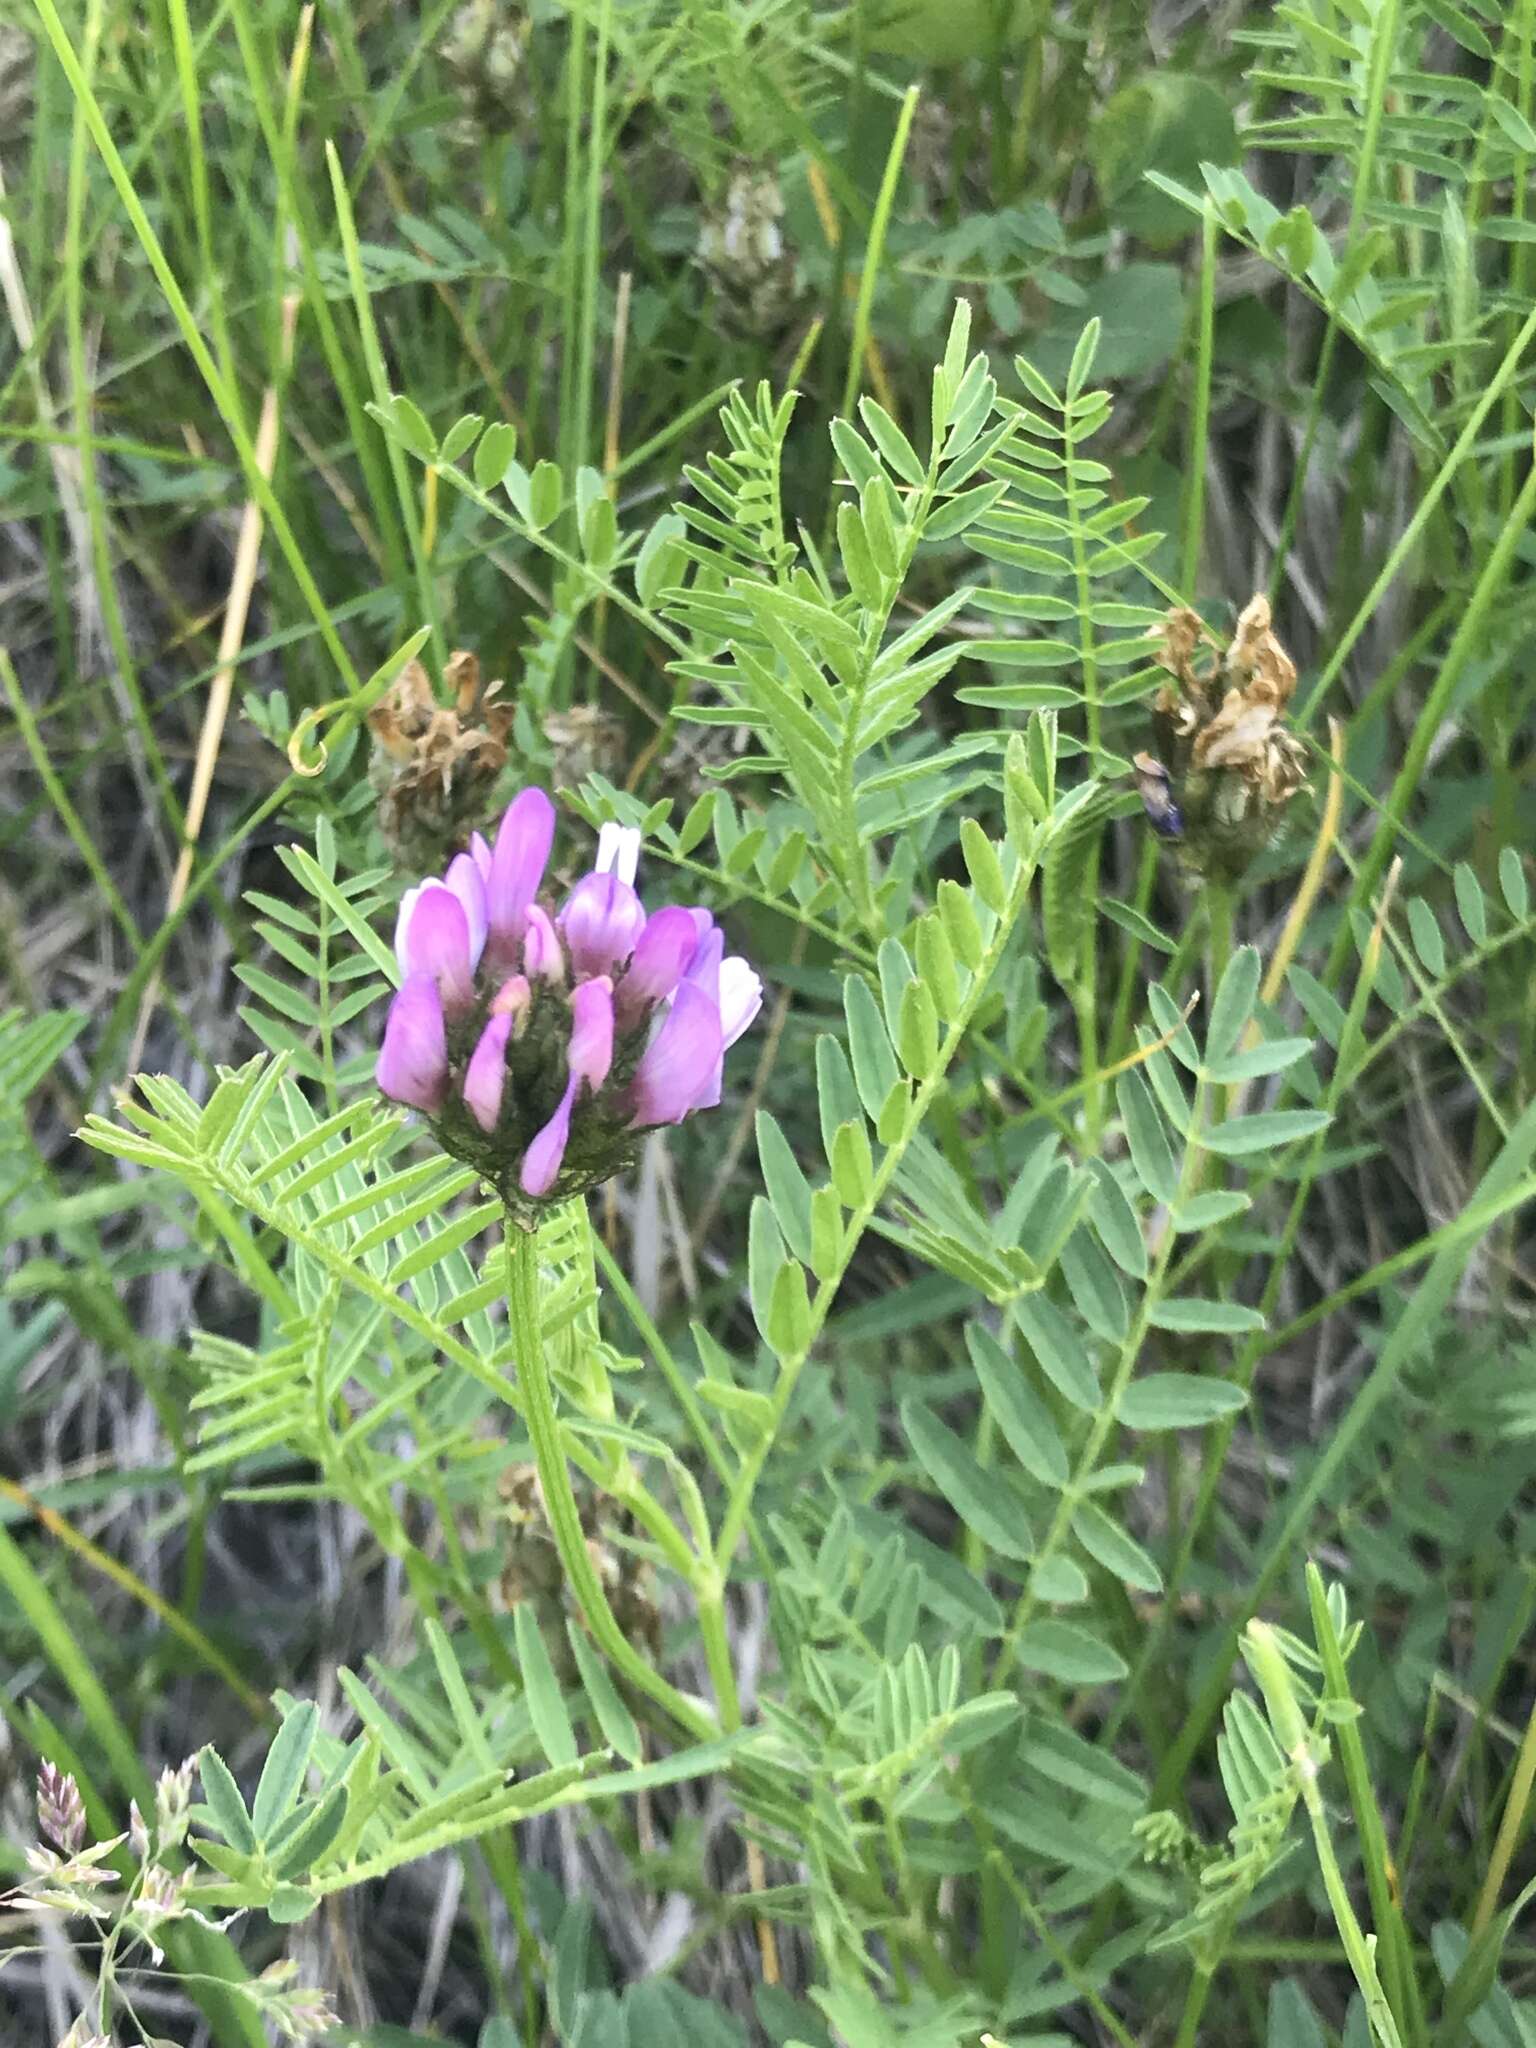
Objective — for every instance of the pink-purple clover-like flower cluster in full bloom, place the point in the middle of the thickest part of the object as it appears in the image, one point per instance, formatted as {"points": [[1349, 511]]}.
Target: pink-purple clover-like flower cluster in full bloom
{"points": [[540, 1046]]}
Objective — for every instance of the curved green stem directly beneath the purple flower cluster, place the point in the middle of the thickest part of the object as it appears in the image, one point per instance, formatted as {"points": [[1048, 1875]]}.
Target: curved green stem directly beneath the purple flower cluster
{"points": [[538, 1406]]}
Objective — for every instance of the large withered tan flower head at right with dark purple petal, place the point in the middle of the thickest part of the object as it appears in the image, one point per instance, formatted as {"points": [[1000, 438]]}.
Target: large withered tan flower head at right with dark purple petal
{"points": [[1226, 761]]}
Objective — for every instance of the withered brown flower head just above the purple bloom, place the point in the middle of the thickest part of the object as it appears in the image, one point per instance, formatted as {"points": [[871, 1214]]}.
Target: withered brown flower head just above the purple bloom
{"points": [[435, 763]]}
